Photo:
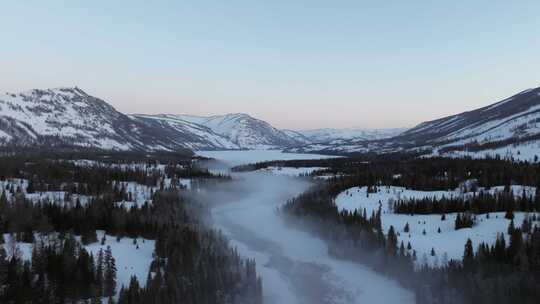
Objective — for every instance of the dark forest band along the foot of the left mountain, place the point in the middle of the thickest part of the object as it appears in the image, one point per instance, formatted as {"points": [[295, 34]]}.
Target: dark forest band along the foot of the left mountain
{"points": [[94, 177]]}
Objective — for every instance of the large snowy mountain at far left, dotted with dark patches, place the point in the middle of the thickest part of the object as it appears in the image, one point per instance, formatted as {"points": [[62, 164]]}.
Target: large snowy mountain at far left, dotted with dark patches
{"points": [[69, 117]]}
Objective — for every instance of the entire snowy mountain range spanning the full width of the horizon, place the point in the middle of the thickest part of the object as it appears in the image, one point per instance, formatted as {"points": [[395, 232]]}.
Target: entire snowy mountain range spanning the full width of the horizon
{"points": [[70, 118]]}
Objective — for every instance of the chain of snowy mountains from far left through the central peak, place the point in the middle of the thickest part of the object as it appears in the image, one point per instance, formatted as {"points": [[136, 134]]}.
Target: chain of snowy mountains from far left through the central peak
{"points": [[70, 118]]}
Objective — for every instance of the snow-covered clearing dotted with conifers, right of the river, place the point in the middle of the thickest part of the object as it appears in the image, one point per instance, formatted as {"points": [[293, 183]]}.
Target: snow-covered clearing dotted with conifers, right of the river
{"points": [[449, 243]]}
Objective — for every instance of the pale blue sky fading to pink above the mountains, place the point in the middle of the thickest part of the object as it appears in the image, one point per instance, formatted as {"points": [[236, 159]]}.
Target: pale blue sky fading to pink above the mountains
{"points": [[297, 64]]}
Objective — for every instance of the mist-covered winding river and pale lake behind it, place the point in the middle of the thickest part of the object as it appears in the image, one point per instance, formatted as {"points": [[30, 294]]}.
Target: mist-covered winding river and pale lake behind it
{"points": [[295, 266]]}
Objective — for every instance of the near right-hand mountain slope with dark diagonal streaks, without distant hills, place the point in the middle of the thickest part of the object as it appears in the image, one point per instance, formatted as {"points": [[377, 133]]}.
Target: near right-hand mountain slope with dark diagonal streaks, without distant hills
{"points": [[508, 128]]}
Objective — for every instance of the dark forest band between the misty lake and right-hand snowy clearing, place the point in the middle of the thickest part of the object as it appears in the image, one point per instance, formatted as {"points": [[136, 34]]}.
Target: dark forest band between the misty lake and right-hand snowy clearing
{"points": [[419, 173]]}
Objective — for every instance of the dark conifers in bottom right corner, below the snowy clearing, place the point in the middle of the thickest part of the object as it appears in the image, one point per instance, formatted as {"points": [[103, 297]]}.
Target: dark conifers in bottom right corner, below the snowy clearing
{"points": [[504, 272]]}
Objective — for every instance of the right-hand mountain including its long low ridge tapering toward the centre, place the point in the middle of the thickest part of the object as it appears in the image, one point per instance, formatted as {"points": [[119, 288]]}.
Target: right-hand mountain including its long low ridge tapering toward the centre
{"points": [[505, 128]]}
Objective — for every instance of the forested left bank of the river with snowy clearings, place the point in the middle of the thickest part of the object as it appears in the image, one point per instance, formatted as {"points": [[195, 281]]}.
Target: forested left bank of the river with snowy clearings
{"points": [[68, 224]]}
